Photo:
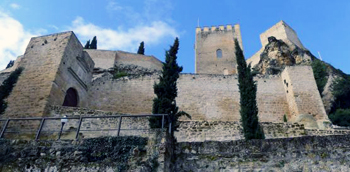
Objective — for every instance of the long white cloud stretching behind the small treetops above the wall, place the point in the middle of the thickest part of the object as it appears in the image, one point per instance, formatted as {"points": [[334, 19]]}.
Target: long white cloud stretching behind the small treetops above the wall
{"points": [[123, 39]]}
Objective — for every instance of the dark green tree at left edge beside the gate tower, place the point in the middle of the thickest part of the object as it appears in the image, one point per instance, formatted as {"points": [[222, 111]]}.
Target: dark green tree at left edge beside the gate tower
{"points": [[6, 88]]}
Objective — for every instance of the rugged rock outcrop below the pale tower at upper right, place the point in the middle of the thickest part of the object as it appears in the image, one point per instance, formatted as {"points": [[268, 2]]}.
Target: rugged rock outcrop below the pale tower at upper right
{"points": [[277, 55]]}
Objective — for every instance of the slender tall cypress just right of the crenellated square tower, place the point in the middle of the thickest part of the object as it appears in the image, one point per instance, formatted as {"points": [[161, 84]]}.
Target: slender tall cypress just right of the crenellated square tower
{"points": [[247, 89]]}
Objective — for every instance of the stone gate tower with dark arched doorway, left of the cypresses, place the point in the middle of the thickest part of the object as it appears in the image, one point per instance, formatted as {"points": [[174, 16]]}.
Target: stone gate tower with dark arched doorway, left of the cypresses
{"points": [[55, 68]]}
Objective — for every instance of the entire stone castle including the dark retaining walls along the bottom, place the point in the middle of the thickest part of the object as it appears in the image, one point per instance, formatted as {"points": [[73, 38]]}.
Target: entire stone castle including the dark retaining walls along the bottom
{"points": [[61, 78]]}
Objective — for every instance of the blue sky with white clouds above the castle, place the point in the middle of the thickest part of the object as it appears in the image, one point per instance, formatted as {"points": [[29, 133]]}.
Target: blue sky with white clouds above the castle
{"points": [[321, 25]]}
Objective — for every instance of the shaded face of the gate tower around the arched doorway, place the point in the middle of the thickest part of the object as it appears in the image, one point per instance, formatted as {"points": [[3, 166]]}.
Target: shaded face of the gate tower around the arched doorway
{"points": [[75, 71]]}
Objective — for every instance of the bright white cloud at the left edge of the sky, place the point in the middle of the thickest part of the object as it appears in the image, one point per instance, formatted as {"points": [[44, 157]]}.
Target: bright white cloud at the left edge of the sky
{"points": [[13, 39]]}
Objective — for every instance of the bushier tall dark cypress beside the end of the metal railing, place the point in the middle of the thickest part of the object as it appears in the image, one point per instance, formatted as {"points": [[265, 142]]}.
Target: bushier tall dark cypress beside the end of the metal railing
{"points": [[166, 91]]}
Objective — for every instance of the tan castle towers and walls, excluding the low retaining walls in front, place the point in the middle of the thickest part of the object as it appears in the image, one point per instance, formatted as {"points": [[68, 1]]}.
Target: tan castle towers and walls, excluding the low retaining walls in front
{"points": [[59, 72]]}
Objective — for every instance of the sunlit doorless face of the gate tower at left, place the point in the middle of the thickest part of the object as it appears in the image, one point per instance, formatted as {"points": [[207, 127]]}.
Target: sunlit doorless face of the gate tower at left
{"points": [[41, 61]]}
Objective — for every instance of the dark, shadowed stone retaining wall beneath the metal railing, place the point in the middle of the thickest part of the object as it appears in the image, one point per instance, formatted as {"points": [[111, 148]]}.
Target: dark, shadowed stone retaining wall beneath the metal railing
{"points": [[88, 155]]}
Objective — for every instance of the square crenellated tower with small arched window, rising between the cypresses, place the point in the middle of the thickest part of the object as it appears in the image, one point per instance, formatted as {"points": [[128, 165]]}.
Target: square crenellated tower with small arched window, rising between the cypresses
{"points": [[215, 49]]}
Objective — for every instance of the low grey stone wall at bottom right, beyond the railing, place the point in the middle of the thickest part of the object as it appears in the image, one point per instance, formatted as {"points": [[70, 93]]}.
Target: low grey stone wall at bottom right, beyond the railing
{"points": [[329, 153]]}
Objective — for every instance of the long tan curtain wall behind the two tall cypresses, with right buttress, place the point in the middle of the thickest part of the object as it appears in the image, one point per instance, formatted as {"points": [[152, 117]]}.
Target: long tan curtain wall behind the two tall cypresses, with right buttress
{"points": [[212, 97]]}
